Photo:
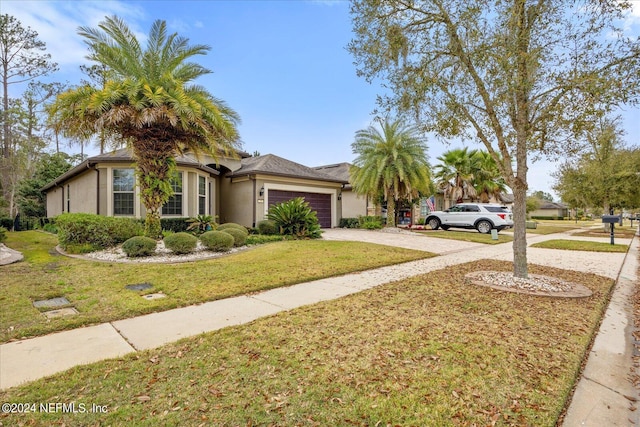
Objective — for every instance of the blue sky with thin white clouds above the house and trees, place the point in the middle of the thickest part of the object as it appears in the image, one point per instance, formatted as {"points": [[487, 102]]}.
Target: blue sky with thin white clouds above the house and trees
{"points": [[282, 65]]}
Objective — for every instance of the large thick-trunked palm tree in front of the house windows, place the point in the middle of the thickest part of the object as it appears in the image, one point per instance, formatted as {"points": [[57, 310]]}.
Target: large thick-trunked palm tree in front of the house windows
{"points": [[149, 103]]}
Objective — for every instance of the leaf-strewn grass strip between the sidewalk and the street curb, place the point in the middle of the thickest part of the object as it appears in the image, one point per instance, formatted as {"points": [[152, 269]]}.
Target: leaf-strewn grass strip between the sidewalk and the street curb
{"points": [[429, 351]]}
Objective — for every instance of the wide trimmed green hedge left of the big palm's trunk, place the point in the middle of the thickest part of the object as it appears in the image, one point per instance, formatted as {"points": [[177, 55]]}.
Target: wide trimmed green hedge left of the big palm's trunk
{"points": [[95, 232]]}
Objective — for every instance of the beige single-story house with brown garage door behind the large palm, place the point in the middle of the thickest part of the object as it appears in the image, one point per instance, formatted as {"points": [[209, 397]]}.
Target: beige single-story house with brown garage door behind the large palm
{"points": [[235, 189]]}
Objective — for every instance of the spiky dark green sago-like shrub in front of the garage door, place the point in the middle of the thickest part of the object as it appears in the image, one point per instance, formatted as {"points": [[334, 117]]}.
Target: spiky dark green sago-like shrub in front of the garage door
{"points": [[295, 218]]}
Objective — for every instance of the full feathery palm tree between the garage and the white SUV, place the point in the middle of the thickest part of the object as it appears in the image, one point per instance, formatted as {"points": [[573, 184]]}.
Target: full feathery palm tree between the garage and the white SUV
{"points": [[391, 163]]}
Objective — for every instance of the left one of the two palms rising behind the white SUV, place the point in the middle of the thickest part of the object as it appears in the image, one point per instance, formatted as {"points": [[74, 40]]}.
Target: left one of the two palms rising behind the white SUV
{"points": [[455, 174]]}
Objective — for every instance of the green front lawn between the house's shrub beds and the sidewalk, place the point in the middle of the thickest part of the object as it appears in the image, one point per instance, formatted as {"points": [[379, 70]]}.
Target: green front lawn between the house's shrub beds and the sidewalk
{"points": [[97, 289]]}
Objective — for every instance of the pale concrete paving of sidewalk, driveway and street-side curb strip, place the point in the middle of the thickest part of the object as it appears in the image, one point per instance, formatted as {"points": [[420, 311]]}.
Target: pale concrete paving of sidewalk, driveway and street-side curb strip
{"points": [[603, 394]]}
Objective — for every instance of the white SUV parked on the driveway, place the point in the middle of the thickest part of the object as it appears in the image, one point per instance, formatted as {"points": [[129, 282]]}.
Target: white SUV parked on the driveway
{"points": [[481, 216]]}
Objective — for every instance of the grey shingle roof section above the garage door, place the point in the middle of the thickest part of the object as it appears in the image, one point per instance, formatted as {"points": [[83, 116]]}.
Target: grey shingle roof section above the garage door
{"points": [[270, 164]]}
